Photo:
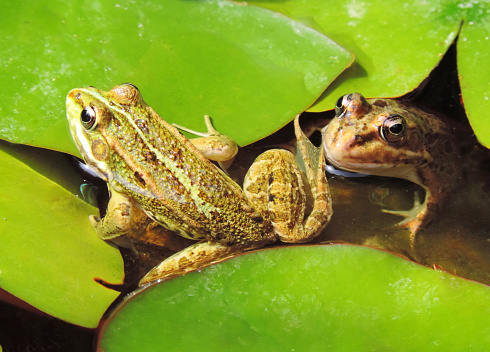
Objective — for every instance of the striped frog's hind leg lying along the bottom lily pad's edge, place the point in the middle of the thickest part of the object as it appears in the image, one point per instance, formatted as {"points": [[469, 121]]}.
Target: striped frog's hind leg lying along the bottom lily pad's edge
{"points": [[194, 257]]}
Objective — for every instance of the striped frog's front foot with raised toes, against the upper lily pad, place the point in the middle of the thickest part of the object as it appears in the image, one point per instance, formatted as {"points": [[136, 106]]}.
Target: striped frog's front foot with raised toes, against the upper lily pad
{"points": [[213, 145]]}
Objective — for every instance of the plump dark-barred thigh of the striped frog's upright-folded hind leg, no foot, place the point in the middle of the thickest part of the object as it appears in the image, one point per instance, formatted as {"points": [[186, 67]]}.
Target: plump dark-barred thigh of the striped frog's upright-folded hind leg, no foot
{"points": [[275, 188]]}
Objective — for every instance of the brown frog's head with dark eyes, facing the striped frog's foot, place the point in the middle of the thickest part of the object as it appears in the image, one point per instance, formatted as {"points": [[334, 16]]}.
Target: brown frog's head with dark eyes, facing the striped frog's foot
{"points": [[375, 136]]}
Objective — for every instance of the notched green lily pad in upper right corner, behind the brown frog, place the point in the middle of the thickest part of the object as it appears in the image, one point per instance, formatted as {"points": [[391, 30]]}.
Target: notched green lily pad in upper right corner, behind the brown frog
{"points": [[397, 46]]}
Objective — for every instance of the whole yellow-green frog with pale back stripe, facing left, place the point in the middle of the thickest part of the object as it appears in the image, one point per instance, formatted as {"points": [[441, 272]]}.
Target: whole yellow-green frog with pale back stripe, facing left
{"points": [[147, 163]]}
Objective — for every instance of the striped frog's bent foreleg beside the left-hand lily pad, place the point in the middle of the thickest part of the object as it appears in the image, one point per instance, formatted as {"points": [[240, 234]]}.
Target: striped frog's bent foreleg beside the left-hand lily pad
{"points": [[118, 219]]}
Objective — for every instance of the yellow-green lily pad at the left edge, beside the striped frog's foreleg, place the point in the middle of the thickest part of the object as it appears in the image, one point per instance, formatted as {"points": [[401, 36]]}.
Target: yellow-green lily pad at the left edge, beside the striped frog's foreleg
{"points": [[50, 255]]}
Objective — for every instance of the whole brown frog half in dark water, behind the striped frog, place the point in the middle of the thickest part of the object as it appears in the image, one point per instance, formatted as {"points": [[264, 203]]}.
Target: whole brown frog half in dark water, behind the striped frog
{"points": [[387, 137]]}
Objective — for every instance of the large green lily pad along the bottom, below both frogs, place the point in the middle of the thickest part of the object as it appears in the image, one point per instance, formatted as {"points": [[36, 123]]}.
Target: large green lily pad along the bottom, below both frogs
{"points": [[314, 298]]}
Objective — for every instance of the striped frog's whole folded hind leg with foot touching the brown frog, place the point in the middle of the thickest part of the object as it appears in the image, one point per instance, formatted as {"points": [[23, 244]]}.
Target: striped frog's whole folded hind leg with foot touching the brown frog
{"points": [[276, 188]]}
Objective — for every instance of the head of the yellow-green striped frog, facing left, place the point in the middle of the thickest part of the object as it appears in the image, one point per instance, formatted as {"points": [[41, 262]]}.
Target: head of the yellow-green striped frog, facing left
{"points": [[90, 112]]}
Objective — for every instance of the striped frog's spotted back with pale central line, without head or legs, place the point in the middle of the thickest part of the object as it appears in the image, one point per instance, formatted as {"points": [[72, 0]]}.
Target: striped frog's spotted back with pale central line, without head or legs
{"points": [[176, 185]]}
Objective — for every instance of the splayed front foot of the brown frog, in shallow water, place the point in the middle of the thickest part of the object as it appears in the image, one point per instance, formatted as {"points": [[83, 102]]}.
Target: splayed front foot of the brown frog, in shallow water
{"points": [[415, 218]]}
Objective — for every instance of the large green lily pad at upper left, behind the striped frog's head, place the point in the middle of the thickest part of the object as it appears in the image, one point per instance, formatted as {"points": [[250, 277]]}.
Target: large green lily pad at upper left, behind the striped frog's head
{"points": [[250, 69]]}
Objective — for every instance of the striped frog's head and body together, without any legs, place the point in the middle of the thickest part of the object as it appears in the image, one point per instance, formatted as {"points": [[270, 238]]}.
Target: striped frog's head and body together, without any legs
{"points": [[151, 162]]}
